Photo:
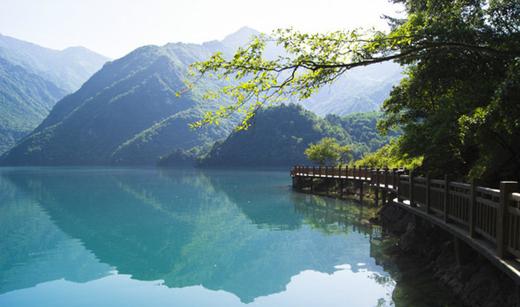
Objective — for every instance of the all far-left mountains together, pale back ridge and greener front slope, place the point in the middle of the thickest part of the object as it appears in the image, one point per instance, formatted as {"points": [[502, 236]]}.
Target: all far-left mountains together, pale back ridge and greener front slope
{"points": [[33, 79]]}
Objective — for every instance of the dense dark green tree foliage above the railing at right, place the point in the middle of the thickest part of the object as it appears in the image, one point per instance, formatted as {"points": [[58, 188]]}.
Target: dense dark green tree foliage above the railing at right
{"points": [[459, 108]]}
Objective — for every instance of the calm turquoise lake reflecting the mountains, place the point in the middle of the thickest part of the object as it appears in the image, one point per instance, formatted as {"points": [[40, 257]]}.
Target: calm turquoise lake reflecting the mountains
{"points": [[188, 237]]}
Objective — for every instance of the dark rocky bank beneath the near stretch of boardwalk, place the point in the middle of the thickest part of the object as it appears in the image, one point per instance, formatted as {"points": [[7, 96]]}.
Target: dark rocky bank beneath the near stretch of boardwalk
{"points": [[476, 282]]}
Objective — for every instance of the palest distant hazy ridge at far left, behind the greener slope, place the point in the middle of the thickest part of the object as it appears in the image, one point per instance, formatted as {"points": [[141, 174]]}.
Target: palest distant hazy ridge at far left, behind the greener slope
{"points": [[68, 69]]}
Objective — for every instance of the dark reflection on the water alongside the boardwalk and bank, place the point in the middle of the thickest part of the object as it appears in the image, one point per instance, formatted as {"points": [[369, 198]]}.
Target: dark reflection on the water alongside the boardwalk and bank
{"points": [[413, 284]]}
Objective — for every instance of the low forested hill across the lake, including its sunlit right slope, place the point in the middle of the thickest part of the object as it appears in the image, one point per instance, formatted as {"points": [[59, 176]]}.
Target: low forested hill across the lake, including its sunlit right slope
{"points": [[279, 136]]}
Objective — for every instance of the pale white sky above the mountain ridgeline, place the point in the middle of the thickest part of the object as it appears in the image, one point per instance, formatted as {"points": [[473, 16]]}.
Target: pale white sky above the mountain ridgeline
{"points": [[116, 27]]}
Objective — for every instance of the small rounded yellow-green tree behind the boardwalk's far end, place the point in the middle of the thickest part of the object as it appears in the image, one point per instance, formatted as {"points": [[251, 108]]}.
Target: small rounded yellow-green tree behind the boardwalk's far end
{"points": [[328, 152]]}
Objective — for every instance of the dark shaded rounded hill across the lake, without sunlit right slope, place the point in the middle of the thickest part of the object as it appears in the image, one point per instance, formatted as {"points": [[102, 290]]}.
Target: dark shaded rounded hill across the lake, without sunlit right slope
{"points": [[278, 137]]}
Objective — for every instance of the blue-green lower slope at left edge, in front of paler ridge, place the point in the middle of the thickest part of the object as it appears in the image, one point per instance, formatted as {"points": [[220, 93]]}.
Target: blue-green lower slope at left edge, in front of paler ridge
{"points": [[25, 100]]}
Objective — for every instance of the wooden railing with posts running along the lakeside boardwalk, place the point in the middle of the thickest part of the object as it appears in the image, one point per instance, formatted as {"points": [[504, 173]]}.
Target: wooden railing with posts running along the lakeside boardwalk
{"points": [[483, 212]]}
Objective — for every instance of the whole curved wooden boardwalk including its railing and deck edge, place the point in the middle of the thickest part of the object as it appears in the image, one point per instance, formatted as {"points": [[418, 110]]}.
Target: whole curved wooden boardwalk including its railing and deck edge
{"points": [[488, 220]]}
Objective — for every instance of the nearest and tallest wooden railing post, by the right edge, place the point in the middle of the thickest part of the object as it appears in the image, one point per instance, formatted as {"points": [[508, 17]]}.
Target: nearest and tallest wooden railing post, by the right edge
{"points": [[506, 189]]}
